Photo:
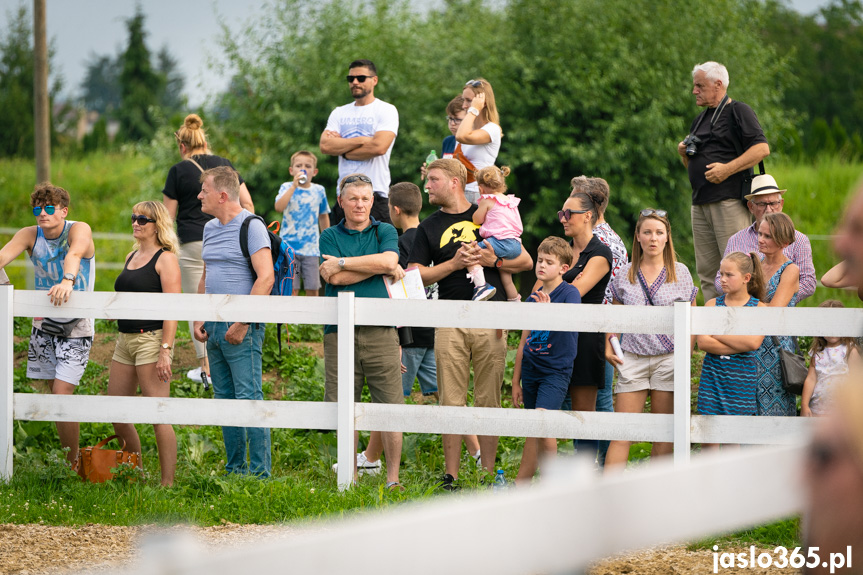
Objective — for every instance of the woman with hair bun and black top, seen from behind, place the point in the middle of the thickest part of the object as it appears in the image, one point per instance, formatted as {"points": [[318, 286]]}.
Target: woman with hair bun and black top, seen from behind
{"points": [[180, 196]]}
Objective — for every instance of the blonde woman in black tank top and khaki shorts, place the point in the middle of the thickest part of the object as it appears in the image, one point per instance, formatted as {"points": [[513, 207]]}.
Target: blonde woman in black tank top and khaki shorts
{"points": [[145, 348]]}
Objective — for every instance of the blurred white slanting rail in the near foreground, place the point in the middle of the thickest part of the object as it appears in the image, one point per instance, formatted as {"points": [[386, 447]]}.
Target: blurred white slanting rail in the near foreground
{"points": [[570, 520]]}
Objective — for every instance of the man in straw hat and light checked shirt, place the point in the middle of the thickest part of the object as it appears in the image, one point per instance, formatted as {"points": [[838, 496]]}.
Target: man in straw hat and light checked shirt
{"points": [[766, 198]]}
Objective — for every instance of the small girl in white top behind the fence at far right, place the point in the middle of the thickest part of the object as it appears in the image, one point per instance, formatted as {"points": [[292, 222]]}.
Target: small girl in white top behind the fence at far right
{"points": [[828, 366]]}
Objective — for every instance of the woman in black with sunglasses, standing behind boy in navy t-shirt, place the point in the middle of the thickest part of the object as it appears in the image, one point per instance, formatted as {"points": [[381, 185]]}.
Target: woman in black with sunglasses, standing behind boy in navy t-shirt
{"points": [[589, 273]]}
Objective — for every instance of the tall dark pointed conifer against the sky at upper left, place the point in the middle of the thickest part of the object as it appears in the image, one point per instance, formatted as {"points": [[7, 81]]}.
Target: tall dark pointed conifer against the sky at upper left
{"points": [[141, 87]]}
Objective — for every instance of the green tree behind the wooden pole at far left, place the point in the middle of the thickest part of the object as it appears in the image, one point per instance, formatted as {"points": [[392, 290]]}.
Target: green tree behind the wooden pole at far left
{"points": [[16, 85]]}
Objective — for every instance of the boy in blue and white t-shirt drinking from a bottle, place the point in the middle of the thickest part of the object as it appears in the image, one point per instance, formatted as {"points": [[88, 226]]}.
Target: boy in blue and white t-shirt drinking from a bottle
{"points": [[305, 214]]}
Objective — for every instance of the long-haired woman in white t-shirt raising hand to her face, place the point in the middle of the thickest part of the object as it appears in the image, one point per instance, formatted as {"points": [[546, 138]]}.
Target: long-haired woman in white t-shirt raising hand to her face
{"points": [[478, 134]]}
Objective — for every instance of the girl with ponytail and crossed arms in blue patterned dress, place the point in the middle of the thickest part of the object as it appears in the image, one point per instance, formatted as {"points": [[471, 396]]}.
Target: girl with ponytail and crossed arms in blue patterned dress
{"points": [[728, 375]]}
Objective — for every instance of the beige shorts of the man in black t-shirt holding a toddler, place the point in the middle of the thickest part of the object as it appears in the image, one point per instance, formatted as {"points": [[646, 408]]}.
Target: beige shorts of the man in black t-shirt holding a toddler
{"points": [[455, 349]]}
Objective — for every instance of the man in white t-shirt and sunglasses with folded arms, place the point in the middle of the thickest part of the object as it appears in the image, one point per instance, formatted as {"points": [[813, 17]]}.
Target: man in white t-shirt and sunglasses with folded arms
{"points": [[362, 134]]}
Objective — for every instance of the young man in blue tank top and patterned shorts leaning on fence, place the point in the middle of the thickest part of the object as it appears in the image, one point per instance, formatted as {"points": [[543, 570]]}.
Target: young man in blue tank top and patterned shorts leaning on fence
{"points": [[63, 257]]}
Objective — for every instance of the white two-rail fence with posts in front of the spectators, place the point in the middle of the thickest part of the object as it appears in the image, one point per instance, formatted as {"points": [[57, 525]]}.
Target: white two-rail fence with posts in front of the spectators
{"points": [[347, 311]]}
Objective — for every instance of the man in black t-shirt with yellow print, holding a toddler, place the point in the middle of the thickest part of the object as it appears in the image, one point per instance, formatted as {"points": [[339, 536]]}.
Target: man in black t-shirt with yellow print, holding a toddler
{"points": [[447, 239]]}
